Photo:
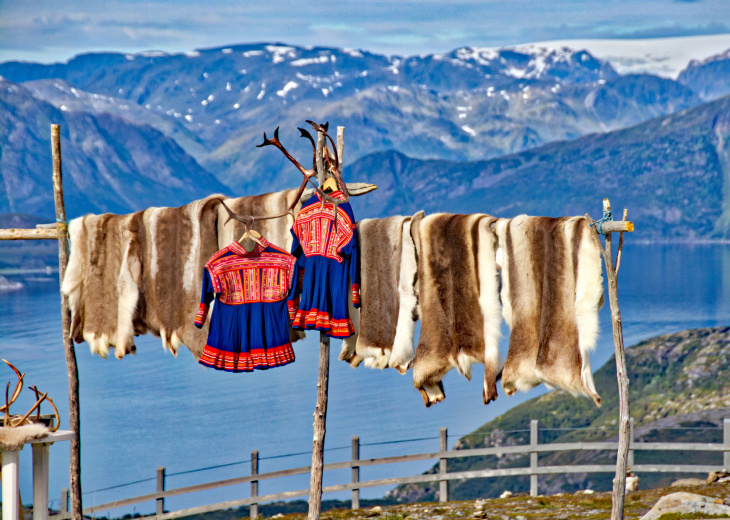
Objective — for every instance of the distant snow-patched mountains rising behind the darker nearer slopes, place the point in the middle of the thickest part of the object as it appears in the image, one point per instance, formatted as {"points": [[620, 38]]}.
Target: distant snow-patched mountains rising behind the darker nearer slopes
{"points": [[468, 104]]}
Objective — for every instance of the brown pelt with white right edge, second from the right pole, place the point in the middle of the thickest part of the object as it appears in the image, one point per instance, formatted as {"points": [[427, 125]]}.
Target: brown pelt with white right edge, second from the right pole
{"points": [[458, 293]]}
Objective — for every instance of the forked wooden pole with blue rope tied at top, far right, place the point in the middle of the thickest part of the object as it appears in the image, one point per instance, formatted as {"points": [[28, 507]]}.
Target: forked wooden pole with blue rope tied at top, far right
{"points": [[619, 482]]}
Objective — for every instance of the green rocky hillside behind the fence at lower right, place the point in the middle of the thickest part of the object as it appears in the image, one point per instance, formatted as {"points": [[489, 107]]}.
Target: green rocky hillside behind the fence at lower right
{"points": [[677, 382]]}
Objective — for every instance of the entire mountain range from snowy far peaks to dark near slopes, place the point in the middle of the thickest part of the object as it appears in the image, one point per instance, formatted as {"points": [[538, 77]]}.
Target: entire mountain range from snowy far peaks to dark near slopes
{"points": [[162, 129]]}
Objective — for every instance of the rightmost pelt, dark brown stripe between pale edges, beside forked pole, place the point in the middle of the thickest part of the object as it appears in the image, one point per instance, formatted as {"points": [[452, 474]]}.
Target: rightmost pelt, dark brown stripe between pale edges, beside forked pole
{"points": [[552, 288]]}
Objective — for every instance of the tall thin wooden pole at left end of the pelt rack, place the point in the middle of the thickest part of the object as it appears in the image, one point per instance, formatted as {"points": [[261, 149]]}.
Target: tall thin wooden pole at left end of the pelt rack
{"points": [[73, 371]]}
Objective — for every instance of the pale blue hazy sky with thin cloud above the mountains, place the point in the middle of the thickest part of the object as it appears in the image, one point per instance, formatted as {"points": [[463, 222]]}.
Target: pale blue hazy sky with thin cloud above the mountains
{"points": [[52, 30]]}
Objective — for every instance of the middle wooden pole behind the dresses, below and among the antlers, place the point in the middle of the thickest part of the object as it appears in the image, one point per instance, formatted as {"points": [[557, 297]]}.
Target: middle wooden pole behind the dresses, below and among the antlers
{"points": [[320, 412]]}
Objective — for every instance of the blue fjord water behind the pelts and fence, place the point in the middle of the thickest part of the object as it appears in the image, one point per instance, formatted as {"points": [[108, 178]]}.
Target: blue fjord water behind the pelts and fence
{"points": [[153, 409]]}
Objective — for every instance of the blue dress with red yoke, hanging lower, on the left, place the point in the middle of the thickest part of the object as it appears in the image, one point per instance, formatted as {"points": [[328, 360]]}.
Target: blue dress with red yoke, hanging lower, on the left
{"points": [[249, 327]]}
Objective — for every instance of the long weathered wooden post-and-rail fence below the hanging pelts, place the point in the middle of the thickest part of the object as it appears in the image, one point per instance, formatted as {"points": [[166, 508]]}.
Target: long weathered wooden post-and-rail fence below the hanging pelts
{"points": [[533, 448]]}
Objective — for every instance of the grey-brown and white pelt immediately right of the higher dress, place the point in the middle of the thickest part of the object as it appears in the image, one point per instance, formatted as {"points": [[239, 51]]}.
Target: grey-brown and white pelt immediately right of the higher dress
{"points": [[385, 323]]}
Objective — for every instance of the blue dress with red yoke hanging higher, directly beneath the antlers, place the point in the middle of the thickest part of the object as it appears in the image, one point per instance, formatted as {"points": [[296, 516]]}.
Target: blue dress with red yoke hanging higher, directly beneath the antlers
{"points": [[326, 259]]}
